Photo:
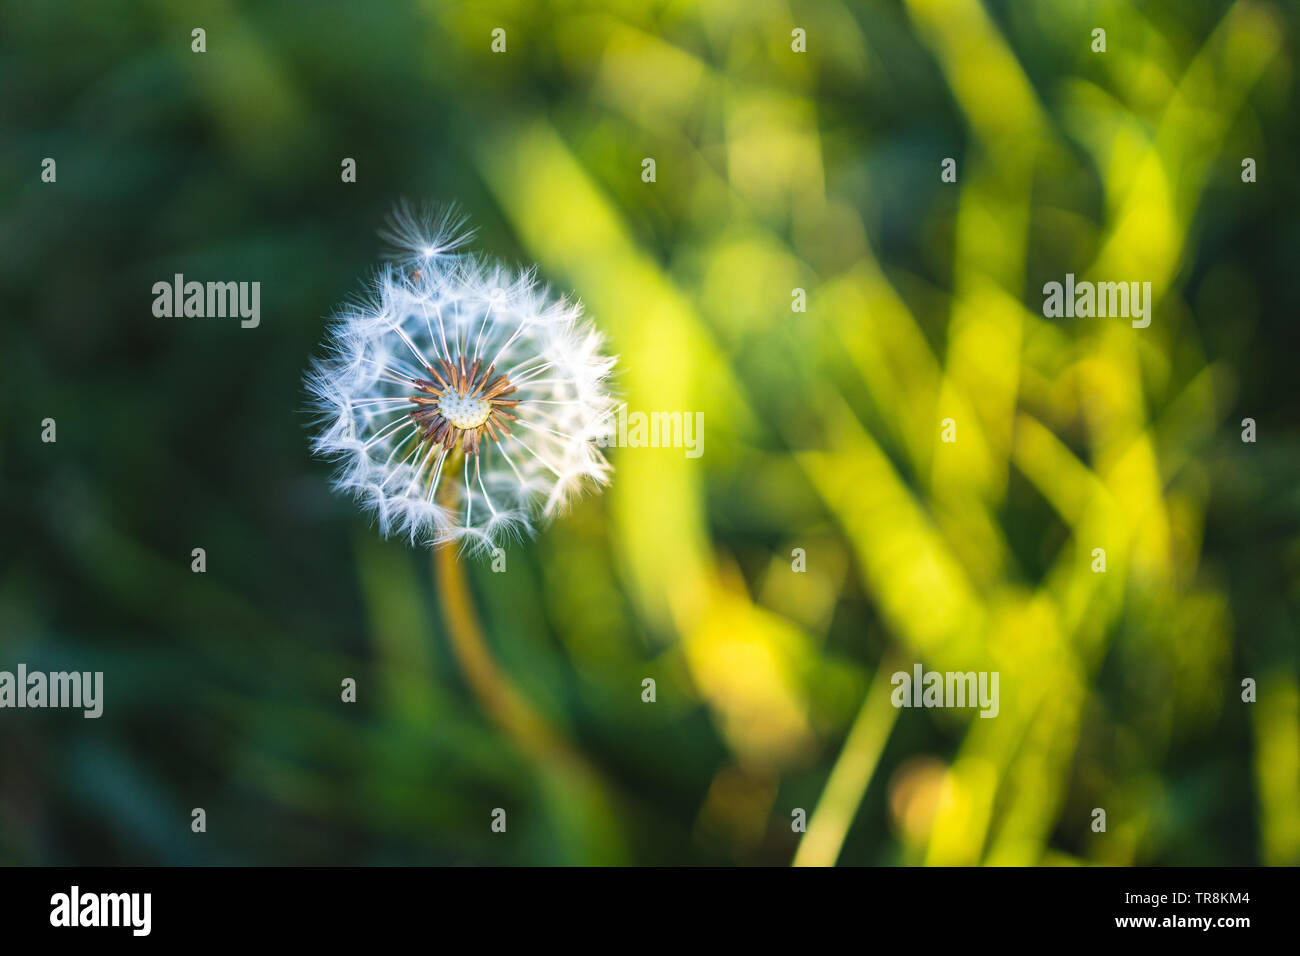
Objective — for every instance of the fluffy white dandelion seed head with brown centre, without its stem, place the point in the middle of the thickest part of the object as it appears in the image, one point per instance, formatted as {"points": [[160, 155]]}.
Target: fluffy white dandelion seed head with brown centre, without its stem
{"points": [[462, 401]]}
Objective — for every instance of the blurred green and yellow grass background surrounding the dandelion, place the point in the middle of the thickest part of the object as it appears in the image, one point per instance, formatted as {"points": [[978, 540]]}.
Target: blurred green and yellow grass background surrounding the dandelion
{"points": [[775, 171]]}
